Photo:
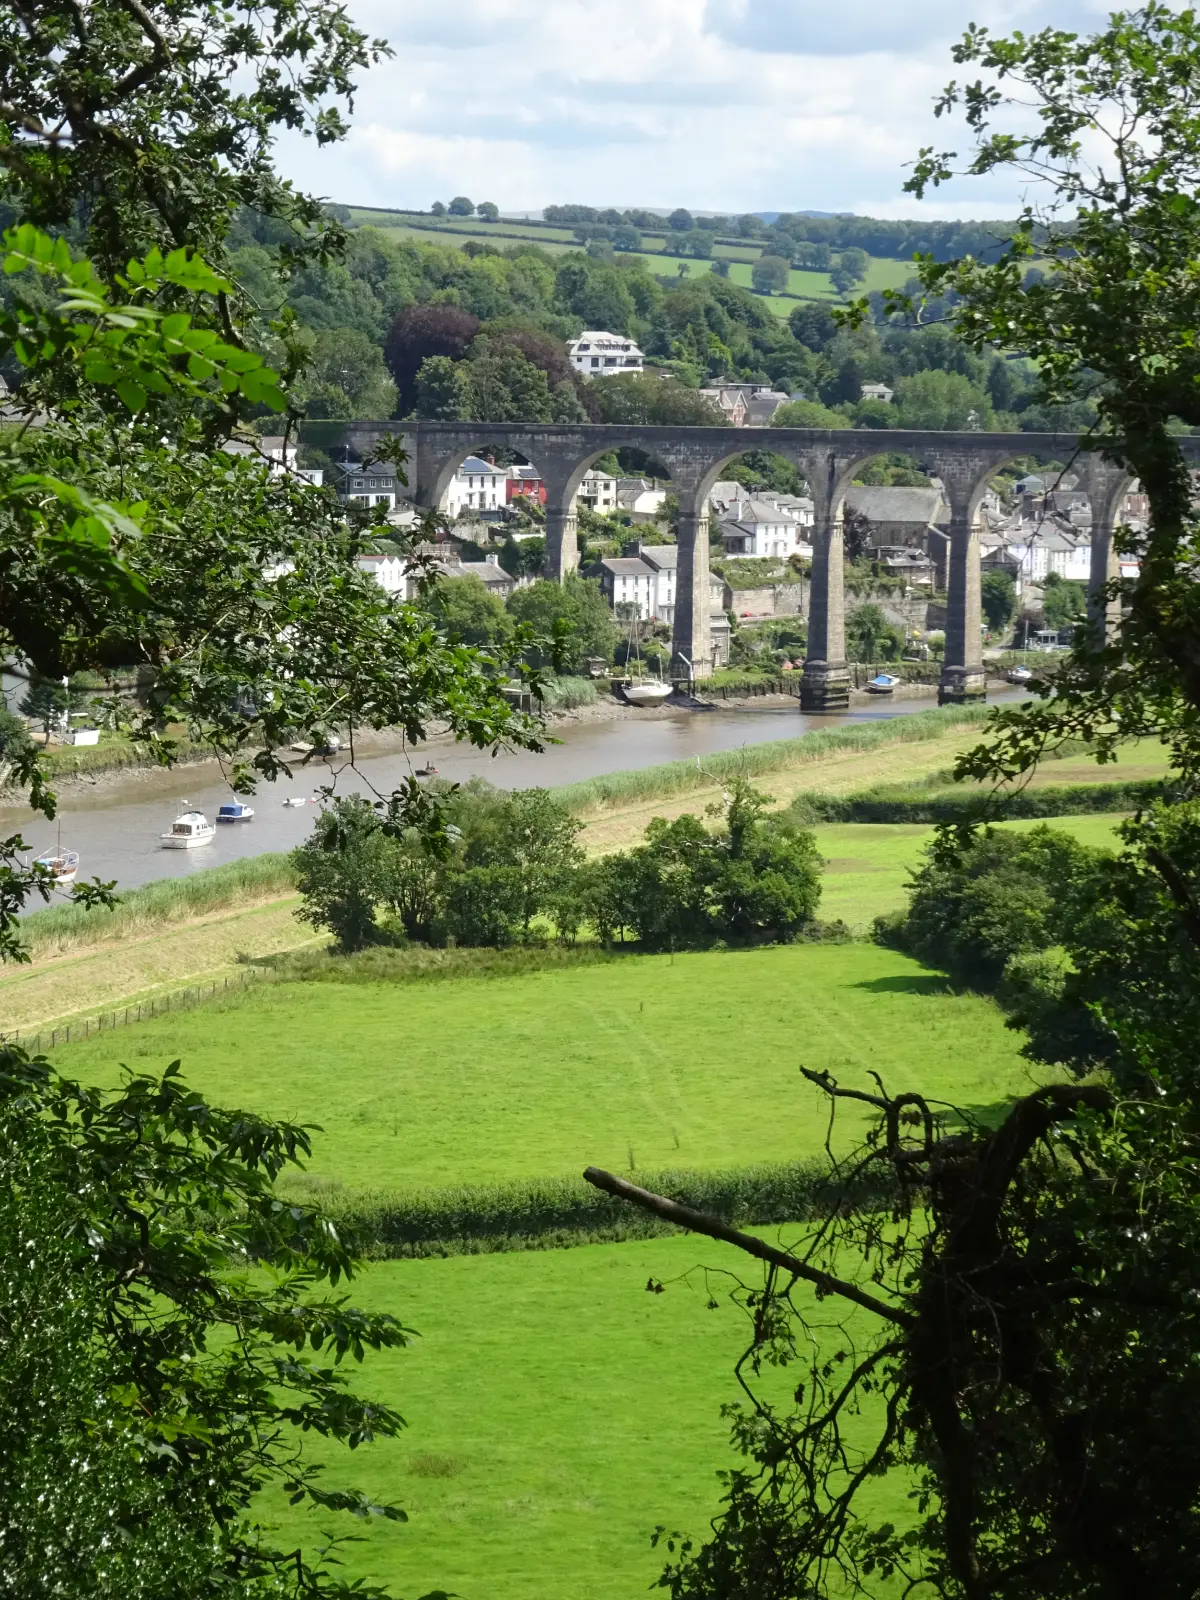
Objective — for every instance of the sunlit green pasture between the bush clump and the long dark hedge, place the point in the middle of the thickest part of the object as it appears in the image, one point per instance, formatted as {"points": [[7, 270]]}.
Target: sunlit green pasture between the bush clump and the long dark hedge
{"points": [[638, 1065]]}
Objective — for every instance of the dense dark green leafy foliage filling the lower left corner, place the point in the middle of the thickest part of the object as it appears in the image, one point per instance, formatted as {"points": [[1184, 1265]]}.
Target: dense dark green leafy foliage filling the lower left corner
{"points": [[172, 1334]]}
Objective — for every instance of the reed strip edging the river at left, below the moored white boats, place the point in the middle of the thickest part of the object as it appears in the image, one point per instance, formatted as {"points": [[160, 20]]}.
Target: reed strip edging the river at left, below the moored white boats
{"points": [[156, 905]]}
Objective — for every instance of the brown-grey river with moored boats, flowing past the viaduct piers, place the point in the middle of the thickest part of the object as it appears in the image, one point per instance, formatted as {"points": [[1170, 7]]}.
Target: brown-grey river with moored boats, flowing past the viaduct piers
{"points": [[116, 826]]}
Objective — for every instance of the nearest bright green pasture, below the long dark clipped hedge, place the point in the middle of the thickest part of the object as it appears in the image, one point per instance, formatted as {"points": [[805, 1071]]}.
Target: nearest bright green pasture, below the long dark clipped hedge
{"points": [[556, 1414]]}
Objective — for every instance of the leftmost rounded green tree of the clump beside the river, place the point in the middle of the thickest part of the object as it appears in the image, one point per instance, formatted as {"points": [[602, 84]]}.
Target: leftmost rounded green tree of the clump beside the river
{"points": [[346, 871]]}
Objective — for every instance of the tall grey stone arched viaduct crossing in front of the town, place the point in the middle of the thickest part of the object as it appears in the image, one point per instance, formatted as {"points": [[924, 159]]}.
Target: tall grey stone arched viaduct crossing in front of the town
{"points": [[828, 460]]}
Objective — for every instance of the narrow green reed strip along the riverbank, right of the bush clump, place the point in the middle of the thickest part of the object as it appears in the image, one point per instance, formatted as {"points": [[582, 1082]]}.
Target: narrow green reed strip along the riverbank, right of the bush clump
{"points": [[674, 778]]}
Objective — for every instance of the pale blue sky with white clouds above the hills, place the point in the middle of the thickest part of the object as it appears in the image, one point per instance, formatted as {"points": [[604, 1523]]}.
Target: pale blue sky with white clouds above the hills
{"points": [[713, 105]]}
